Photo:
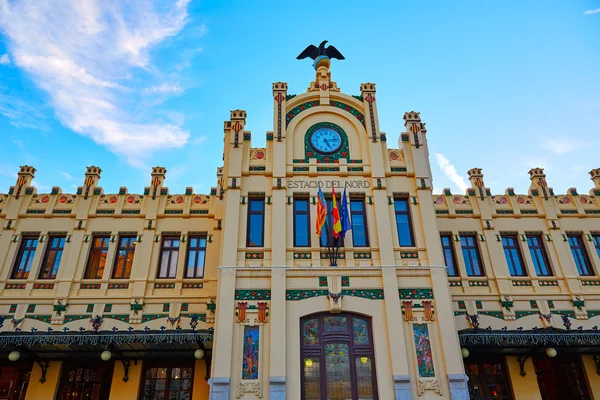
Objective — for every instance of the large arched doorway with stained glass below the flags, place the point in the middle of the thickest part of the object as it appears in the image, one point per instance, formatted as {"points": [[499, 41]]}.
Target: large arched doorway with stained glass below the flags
{"points": [[338, 361]]}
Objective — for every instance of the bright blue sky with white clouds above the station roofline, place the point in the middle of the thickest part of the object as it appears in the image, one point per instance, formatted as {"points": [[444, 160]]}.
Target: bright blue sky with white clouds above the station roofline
{"points": [[503, 85]]}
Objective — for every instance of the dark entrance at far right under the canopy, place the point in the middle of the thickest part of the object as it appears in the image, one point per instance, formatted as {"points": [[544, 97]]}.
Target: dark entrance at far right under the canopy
{"points": [[561, 378]]}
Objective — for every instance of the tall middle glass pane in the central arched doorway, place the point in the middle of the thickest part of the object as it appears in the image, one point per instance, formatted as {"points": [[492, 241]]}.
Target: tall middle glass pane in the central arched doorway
{"points": [[337, 366]]}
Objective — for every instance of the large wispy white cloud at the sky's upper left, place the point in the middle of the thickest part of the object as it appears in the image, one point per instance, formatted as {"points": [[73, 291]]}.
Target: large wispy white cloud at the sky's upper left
{"points": [[82, 52]]}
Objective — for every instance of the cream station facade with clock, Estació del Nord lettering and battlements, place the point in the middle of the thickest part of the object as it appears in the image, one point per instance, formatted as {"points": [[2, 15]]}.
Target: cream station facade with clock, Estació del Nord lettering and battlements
{"points": [[434, 296]]}
